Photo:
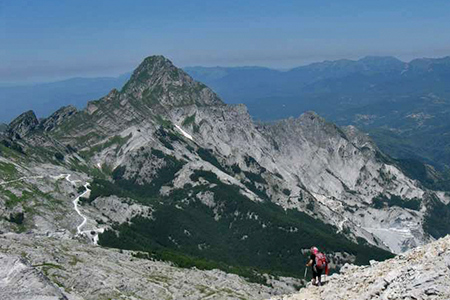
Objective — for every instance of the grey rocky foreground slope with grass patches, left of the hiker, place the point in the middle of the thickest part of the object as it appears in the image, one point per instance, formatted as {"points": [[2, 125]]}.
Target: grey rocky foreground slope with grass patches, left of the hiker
{"points": [[46, 268]]}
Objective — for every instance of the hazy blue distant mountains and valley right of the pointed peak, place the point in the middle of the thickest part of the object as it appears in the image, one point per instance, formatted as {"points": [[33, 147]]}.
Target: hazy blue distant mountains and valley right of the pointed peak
{"points": [[404, 106]]}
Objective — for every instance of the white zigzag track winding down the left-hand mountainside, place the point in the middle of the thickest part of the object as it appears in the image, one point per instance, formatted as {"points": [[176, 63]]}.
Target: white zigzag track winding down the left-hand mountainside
{"points": [[75, 203]]}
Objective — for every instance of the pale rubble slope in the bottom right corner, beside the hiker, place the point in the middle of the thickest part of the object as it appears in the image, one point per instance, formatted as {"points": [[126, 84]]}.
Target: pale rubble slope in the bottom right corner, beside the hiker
{"points": [[421, 273]]}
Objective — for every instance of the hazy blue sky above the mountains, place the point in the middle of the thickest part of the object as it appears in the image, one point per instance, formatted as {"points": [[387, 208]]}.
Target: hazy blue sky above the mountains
{"points": [[45, 40]]}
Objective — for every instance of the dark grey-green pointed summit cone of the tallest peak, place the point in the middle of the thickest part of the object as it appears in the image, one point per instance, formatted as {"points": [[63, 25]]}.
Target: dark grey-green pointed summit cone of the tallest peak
{"points": [[157, 81]]}
